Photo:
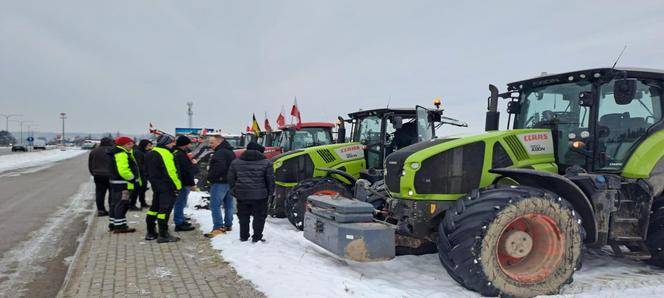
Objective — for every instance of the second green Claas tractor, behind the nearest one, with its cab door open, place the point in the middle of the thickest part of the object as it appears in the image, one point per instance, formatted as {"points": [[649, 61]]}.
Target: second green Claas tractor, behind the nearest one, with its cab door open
{"points": [[336, 168]]}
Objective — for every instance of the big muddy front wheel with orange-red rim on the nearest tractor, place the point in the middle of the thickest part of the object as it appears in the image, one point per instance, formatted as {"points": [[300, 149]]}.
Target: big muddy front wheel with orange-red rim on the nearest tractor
{"points": [[511, 240]]}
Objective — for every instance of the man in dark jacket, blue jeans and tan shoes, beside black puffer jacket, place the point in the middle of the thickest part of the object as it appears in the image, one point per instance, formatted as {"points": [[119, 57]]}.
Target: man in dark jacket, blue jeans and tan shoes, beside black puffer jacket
{"points": [[219, 190]]}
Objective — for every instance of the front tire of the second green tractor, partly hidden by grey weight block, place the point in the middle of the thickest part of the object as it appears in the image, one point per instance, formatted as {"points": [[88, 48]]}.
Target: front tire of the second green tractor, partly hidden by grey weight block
{"points": [[296, 200]]}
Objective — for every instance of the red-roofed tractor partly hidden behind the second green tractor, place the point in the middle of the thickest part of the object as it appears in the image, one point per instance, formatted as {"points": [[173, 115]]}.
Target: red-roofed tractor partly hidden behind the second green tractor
{"points": [[289, 137]]}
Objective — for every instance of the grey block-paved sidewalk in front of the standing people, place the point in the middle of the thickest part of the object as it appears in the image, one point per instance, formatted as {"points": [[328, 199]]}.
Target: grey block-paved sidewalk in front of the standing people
{"points": [[125, 265]]}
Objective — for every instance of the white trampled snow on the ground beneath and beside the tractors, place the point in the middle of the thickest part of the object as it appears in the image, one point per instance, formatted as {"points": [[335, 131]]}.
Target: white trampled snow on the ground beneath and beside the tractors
{"points": [[287, 265]]}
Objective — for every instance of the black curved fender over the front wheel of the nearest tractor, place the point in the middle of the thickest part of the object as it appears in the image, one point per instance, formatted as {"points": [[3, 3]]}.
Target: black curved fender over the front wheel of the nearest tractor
{"points": [[560, 185]]}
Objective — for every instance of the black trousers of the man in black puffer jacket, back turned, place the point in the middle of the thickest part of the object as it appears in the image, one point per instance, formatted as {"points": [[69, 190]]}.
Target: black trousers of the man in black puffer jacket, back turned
{"points": [[252, 208]]}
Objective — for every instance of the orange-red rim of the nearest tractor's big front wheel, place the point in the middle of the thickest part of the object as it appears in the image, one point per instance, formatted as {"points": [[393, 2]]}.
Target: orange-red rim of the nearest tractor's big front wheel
{"points": [[530, 248]]}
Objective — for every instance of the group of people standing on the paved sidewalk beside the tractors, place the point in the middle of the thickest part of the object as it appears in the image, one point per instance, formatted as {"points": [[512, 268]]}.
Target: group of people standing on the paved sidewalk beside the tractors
{"points": [[124, 169]]}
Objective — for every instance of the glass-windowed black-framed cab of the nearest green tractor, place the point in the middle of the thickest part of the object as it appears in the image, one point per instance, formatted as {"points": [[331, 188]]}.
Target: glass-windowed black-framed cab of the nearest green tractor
{"points": [[597, 117]]}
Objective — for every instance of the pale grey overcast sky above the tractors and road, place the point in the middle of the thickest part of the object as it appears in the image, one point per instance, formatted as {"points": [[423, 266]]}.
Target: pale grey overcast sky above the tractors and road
{"points": [[117, 65]]}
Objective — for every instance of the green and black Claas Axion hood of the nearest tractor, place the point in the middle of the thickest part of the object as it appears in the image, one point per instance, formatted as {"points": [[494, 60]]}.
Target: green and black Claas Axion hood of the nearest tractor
{"points": [[447, 168]]}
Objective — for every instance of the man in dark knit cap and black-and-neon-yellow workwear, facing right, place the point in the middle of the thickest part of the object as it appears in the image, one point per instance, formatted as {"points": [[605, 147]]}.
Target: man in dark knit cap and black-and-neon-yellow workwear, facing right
{"points": [[165, 183]]}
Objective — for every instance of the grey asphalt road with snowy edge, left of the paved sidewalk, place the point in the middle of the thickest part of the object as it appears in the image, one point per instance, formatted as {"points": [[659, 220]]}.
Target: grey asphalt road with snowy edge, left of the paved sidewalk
{"points": [[43, 212]]}
